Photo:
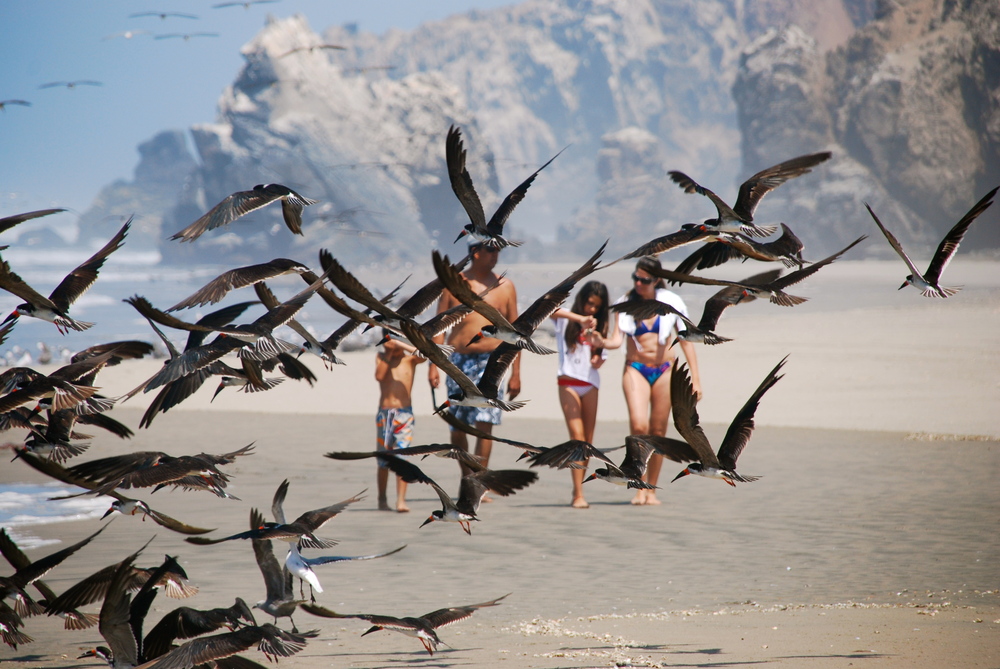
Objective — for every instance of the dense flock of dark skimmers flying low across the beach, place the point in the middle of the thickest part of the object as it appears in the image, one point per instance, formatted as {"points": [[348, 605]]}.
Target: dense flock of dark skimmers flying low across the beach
{"points": [[68, 399]]}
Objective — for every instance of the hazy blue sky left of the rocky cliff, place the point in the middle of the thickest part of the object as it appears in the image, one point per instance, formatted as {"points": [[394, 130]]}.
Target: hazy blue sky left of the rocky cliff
{"points": [[72, 141]]}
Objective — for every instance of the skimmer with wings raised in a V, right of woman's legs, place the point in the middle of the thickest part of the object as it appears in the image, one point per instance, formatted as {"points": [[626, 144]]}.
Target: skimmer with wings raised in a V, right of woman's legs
{"points": [[697, 450]]}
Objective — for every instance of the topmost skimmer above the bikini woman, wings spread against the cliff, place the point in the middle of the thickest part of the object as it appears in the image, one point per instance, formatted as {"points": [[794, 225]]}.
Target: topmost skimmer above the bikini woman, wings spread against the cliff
{"points": [[739, 218]]}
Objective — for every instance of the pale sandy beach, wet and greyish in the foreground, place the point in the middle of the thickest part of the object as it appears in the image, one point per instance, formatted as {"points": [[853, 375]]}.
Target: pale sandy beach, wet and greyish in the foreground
{"points": [[871, 539]]}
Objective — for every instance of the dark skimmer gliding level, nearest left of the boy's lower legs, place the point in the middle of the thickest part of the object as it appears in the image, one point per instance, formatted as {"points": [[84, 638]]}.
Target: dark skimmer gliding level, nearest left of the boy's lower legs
{"points": [[144, 469]]}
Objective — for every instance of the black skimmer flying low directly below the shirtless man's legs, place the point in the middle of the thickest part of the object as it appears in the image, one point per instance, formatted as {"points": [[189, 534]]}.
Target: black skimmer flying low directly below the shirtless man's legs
{"points": [[471, 490]]}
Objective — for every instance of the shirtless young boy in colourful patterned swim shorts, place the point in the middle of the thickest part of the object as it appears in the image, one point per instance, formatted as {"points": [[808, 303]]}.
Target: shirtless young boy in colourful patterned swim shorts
{"points": [[394, 368]]}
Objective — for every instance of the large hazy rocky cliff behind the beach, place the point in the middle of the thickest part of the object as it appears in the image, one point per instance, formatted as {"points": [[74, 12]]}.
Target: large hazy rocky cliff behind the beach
{"points": [[904, 94]]}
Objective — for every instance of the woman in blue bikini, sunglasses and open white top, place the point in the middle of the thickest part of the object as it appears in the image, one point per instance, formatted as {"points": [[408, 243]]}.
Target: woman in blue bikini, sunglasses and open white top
{"points": [[649, 360]]}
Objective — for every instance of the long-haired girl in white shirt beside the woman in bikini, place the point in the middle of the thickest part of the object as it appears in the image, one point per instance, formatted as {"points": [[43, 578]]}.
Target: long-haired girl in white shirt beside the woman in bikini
{"points": [[579, 362]]}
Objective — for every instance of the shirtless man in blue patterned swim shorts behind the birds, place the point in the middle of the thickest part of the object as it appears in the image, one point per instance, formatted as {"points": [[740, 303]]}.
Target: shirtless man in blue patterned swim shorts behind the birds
{"points": [[472, 358]]}
